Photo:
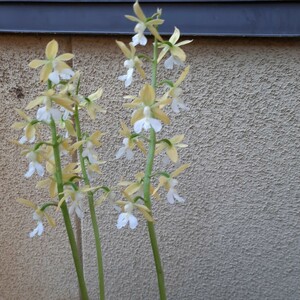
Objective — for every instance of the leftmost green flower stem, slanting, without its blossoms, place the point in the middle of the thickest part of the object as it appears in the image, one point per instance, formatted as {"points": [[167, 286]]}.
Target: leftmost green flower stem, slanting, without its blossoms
{"points": [[65, 212]]}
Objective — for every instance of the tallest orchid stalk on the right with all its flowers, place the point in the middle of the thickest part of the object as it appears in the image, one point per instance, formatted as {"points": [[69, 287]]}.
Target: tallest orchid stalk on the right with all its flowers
{"points": [[147, 119]]}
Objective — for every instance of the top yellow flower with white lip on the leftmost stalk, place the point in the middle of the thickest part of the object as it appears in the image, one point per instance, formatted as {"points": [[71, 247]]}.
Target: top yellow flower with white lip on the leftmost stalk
{"points": [[52, 62]]}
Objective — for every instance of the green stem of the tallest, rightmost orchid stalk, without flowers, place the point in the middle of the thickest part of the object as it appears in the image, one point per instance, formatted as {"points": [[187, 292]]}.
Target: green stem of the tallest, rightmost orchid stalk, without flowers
{"points": [[147, 196]]}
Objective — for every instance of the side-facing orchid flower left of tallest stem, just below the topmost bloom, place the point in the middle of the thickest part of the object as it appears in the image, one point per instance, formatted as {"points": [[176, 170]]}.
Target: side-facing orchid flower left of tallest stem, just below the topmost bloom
{"points": [[131, 63]]}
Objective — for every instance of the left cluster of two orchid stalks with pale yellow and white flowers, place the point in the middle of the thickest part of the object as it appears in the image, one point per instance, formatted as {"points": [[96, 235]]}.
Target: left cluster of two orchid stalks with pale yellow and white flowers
{"points": [[59, 112]]}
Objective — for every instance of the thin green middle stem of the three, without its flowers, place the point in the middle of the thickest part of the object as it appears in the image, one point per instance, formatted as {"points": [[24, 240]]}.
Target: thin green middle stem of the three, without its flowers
{"points": [[92, 208]]}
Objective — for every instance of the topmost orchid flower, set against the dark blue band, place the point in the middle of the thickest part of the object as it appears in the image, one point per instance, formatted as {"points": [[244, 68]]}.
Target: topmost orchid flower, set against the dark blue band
{"points": [[142, 23]]}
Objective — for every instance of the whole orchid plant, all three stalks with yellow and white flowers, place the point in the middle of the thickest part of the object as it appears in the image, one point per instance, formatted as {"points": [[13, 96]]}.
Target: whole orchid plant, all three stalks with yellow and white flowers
{"points": [[52, 135]]}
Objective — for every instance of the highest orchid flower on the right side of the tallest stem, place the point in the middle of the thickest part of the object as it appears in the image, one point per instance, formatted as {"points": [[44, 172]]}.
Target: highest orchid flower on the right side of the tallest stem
{"points": [[178, 56]]}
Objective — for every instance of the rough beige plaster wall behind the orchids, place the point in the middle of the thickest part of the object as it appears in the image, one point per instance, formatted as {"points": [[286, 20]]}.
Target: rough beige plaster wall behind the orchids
{"points": [[237, 234]]}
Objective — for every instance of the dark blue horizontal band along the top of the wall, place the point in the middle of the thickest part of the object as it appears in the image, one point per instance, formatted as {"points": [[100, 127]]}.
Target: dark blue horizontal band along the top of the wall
{"points": [[203, 18]]}
